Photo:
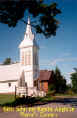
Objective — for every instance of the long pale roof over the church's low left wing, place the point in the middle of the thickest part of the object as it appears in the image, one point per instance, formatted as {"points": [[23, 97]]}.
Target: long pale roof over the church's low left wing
{"points": [[9, 72]]}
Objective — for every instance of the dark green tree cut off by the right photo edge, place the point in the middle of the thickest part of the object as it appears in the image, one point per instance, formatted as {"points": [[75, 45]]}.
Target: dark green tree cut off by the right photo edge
{"points": [[74, 80]]}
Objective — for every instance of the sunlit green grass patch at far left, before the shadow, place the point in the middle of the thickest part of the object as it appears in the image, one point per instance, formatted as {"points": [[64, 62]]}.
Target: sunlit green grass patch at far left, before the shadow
{"points": [[6, 98]]}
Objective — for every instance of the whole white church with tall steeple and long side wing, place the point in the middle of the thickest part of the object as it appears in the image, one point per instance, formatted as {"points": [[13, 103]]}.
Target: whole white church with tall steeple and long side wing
{"points": [[20, 77]]}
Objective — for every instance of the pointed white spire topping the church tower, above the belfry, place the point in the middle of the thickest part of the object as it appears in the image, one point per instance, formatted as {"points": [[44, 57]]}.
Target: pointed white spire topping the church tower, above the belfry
{"points": [[29, 39]]}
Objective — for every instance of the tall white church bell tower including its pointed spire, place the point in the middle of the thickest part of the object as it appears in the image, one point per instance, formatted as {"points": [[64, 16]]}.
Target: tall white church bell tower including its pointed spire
{"points": [[29, 57]]}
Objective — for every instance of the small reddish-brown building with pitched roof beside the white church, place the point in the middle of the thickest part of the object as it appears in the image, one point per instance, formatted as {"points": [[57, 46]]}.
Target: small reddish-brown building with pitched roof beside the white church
{"points": [[45, 79]]}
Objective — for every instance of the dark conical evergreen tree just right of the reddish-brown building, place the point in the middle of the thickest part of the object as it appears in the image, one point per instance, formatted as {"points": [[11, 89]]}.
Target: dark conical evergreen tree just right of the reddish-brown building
{"points": [[59, 81]]}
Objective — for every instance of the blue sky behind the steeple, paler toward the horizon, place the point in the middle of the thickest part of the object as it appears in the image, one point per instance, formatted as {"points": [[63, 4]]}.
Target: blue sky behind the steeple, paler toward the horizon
{"points": [[60, 50]]}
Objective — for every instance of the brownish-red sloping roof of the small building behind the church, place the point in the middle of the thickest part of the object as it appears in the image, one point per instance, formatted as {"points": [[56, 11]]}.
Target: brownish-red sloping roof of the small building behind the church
{"points": [[45, 75]]}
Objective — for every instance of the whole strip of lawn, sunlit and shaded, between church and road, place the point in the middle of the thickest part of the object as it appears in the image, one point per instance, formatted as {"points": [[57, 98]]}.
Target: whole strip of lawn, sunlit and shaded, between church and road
{"points": [[9, 100]]}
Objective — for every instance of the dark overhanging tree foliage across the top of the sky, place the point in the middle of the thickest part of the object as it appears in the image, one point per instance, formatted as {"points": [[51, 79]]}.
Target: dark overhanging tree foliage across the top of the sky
{"points": [[12, 11]]}
